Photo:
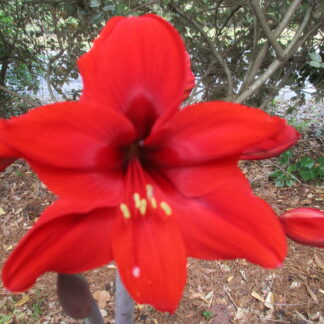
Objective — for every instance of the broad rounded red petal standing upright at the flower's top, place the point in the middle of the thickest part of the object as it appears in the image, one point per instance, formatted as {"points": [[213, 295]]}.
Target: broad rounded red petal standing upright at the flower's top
{"points": [[137, 66]]}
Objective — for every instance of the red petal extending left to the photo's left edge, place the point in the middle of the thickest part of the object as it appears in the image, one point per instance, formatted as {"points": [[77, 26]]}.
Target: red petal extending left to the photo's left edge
{"points": [[76, 149]]}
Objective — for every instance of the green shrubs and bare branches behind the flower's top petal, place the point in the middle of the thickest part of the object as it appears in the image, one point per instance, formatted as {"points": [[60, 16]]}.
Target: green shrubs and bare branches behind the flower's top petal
{"points": [[241, 51]]}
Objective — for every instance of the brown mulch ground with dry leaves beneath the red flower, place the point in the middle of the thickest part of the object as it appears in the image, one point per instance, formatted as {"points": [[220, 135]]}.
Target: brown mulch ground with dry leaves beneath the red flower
{"points": [[218, 292]]}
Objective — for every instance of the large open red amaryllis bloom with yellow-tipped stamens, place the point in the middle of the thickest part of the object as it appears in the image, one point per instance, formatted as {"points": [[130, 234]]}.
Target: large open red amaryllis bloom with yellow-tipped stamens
{"points": [[140, 181]]}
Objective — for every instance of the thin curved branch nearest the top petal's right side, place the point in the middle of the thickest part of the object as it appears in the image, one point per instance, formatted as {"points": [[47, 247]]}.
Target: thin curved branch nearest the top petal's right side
{"points": [[217, 55]]}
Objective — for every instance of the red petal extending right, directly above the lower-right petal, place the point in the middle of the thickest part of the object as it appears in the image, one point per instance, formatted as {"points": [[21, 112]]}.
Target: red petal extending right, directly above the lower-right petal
{"points": [[209, 131]]}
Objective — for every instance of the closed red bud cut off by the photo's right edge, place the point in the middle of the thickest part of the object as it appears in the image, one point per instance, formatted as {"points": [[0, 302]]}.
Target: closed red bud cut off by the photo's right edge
{"points": [[304, 225]]}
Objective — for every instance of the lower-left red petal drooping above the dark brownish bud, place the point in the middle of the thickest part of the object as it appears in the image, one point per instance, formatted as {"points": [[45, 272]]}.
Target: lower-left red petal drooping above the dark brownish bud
{"points": [[68, 238]]}
